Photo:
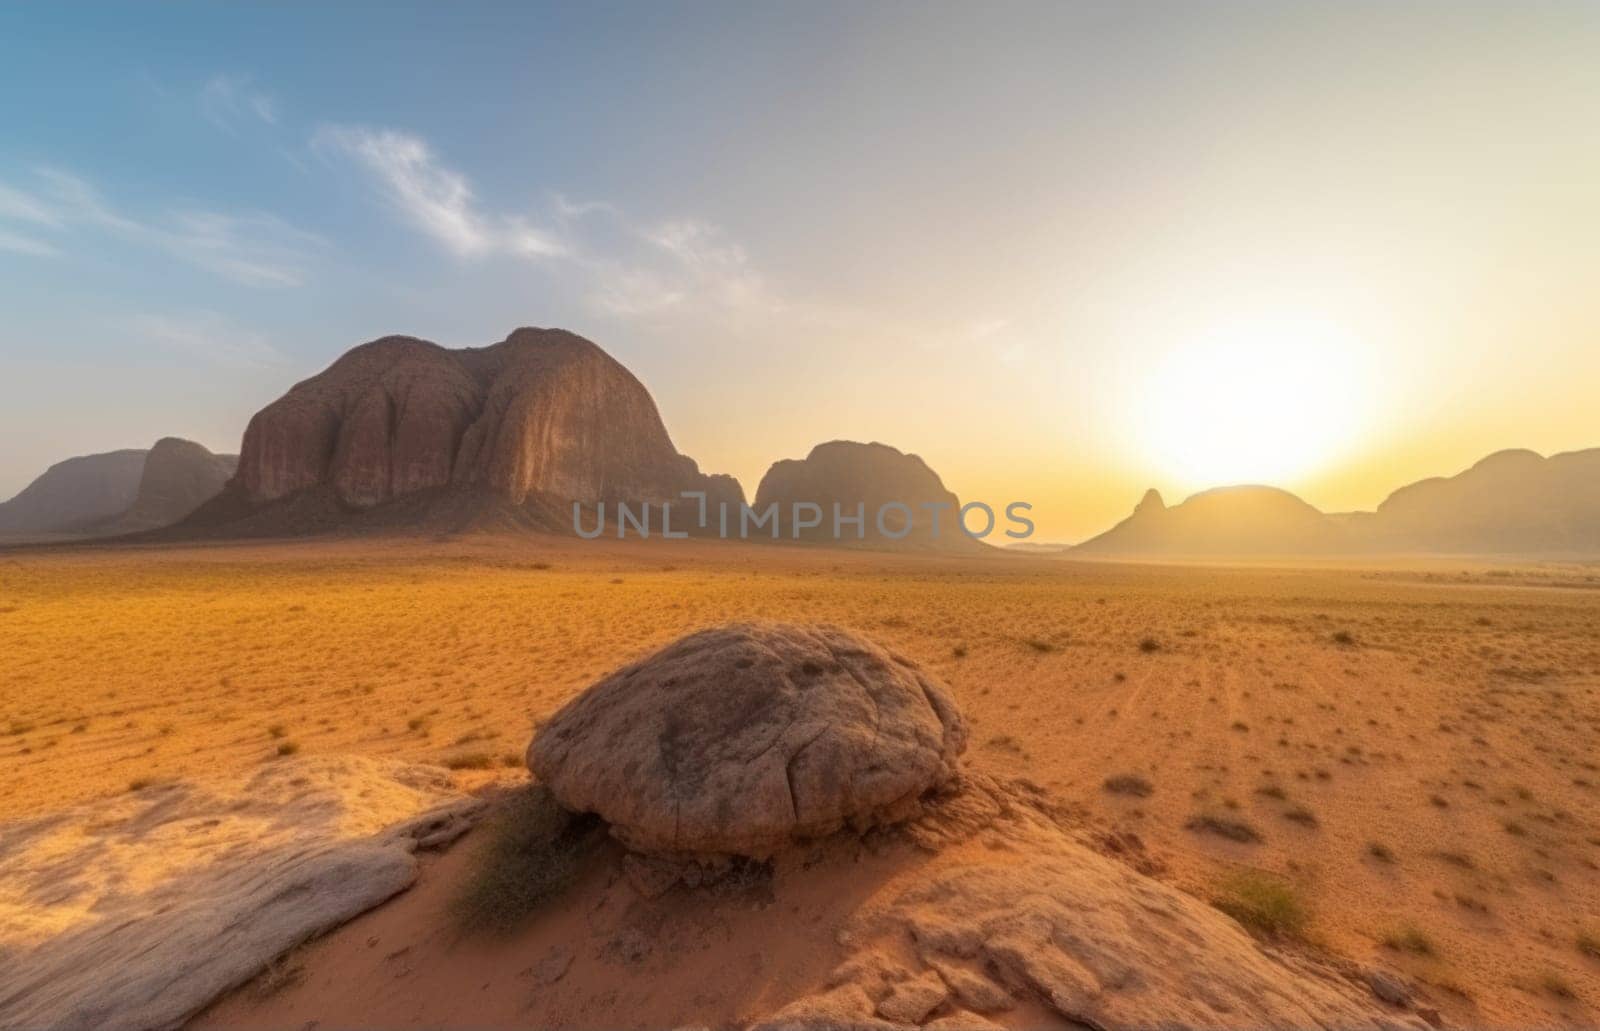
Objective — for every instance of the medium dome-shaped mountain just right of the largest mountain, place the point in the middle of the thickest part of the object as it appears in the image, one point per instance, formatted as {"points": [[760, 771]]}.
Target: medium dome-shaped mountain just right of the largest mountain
{"points": [[870, 476]]}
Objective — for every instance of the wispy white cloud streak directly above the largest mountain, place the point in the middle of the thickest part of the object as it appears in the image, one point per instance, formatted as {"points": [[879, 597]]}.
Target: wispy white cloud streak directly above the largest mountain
{"points": [[631, 268]]}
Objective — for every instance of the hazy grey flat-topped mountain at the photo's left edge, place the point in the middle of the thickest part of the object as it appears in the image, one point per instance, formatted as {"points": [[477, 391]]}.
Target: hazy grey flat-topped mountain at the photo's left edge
{"points": [[74, 494]]}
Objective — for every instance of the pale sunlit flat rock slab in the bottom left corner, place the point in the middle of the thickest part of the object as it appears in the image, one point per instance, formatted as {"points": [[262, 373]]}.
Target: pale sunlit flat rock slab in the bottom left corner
{"points": [[138, 912]]}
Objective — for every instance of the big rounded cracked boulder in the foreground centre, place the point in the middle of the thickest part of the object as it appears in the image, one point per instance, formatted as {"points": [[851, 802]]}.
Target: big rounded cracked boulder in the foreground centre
{"points": [[743, 739]]}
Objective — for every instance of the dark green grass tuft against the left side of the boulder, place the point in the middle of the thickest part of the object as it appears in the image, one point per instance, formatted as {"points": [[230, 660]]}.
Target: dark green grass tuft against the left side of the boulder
{"points": [[535, 851]]}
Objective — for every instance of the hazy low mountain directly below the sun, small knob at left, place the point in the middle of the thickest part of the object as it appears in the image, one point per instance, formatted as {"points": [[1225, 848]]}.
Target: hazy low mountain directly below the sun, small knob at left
{"points": [[1228, 521]]}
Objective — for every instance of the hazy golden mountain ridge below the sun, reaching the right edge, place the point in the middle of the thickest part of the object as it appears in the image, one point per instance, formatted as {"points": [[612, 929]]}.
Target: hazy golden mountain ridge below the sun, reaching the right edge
{"points": [[1513, 502]]}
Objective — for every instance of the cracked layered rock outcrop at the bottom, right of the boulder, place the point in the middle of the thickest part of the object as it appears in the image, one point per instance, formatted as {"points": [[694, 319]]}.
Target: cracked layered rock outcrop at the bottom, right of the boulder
{"points": [[1082, 936]]}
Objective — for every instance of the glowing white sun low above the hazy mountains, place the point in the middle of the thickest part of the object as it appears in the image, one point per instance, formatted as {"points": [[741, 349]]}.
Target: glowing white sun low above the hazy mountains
{"points": [[1254, 403]]}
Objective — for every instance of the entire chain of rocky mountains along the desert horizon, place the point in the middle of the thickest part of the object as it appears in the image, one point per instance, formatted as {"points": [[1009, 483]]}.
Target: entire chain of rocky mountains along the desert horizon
{"points": [[402, 435]]}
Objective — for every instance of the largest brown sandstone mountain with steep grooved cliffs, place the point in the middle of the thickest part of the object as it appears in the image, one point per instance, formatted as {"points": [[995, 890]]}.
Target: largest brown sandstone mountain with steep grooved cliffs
{"points": [[402, 433]]}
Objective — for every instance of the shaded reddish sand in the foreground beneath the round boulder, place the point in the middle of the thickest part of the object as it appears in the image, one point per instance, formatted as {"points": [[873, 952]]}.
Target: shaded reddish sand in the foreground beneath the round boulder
{"points": [[599, 958]]}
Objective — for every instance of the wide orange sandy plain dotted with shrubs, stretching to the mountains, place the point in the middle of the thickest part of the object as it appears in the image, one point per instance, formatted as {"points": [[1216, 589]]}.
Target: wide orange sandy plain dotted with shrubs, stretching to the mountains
{"points": [[1414, 745]]}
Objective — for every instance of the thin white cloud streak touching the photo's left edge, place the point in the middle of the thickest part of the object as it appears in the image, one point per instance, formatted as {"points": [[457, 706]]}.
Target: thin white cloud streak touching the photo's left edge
{"points": [[252, 249]]}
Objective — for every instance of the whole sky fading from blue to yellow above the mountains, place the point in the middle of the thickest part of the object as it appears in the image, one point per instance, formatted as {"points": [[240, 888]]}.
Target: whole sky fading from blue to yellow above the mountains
{"points": [[1065, 252]]}
